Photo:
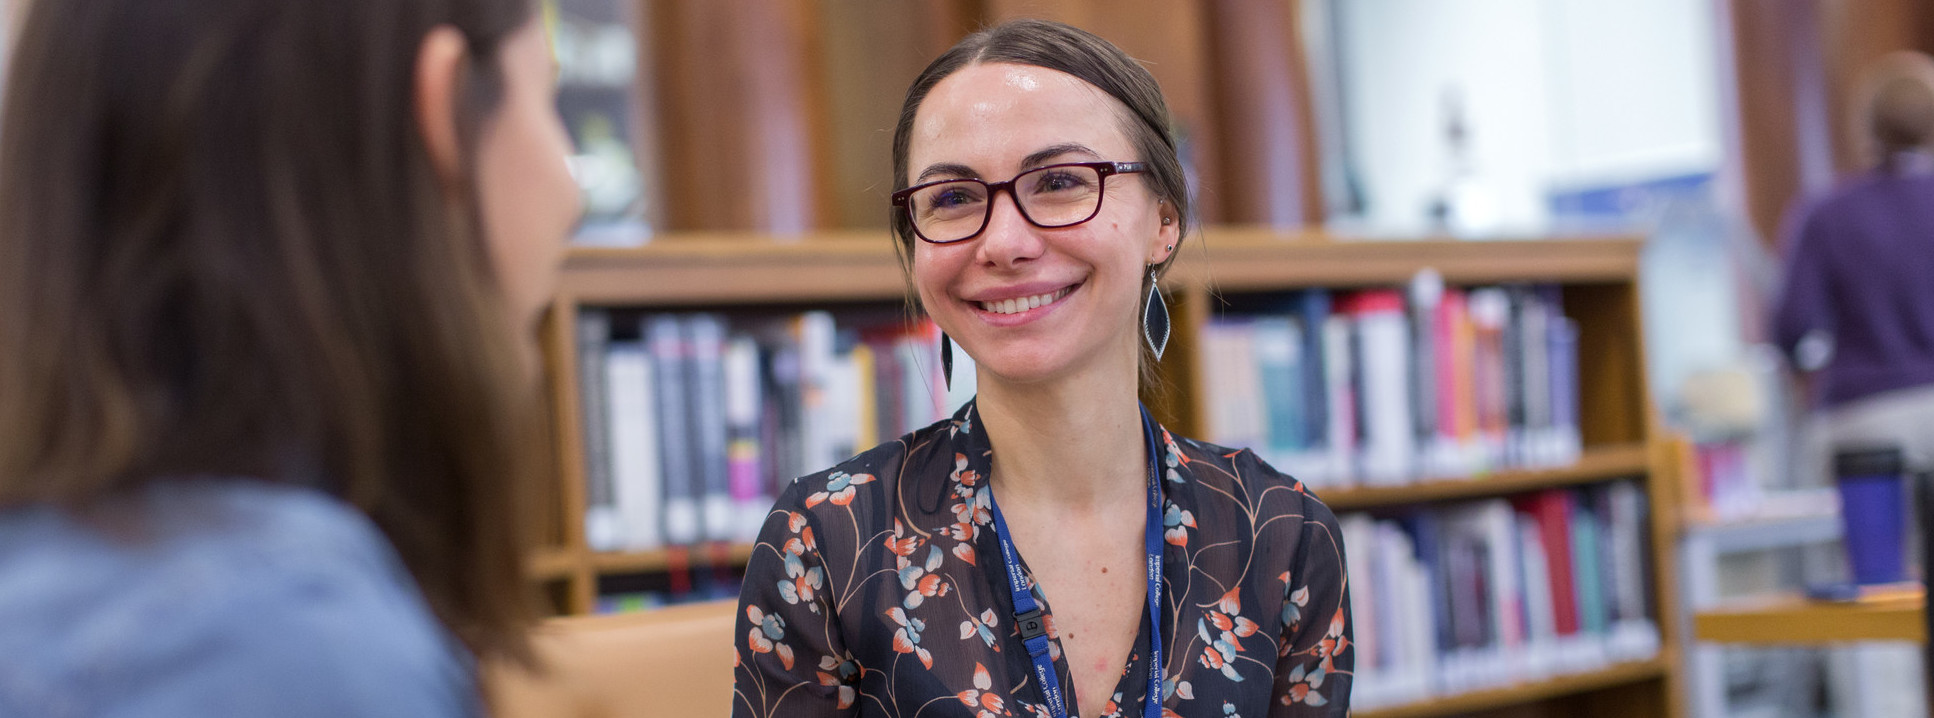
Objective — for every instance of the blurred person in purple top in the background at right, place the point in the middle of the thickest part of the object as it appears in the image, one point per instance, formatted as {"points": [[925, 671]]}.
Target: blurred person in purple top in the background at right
{"points": [[1858, 303]]}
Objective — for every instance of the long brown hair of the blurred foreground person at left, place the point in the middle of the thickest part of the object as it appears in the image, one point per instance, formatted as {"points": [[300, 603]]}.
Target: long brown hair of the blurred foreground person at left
{"points": [[225, 253]]}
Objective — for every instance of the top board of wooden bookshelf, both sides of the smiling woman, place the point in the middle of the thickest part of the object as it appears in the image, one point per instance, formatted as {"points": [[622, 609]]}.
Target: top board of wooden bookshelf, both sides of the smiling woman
{"points": [[856, 266]]}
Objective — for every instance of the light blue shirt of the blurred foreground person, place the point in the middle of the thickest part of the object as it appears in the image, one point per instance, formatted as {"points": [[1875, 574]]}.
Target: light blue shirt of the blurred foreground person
{"points": [[218, 599]]}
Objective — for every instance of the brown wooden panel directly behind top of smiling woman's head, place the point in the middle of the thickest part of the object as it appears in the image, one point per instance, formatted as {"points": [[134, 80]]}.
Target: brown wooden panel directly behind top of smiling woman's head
{"points": [[1171, 38]]}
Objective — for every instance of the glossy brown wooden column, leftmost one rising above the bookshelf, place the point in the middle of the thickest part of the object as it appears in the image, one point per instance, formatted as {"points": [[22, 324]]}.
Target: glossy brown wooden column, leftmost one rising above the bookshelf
{"points": [[742, 119]]}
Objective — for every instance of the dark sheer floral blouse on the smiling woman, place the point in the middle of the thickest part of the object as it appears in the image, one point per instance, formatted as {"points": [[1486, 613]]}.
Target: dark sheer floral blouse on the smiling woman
{"points": [[877, 589]]}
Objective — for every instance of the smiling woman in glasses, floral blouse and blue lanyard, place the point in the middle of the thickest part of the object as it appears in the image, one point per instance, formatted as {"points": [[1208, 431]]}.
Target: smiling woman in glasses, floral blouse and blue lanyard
{"points": [[1040, 202]]}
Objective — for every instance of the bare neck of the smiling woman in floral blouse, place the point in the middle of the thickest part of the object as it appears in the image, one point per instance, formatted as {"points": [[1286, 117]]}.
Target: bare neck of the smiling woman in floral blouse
{"points": [[1072, 442]]}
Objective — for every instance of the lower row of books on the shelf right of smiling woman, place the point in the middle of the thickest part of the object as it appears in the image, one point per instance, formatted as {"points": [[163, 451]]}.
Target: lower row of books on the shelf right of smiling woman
{"points": [[1502, 591]]}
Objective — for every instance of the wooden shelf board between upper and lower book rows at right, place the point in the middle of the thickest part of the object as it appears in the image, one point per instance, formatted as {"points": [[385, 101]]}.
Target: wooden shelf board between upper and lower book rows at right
{"points": [[1597, 465]]}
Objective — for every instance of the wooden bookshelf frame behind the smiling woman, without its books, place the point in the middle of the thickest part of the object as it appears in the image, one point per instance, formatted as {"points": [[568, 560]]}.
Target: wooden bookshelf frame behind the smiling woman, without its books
{"points": [[860, 268]]}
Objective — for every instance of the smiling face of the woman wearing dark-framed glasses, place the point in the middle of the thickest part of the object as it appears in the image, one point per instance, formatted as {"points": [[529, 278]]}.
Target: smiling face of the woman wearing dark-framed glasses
{"points": [[993, 123]]}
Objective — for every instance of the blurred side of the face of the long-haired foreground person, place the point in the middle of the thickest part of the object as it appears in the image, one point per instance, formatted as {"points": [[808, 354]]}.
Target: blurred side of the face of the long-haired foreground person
{"points": [[531, 204]]}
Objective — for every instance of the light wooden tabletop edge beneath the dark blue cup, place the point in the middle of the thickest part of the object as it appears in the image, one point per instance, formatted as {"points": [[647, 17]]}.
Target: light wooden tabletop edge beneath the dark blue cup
{"points": [[1792, 620]]}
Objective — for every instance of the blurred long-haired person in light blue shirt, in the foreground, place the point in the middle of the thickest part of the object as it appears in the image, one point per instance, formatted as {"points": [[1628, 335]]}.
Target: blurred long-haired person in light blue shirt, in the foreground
{"points": [[270, 274]]}
